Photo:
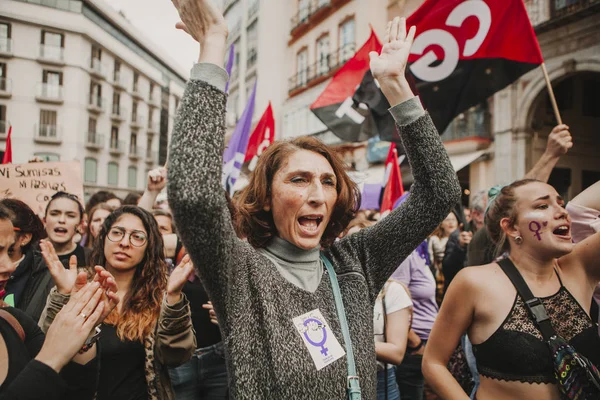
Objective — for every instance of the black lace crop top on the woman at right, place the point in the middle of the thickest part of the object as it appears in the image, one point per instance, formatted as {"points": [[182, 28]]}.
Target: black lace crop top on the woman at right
{"points": [[517, 351]]}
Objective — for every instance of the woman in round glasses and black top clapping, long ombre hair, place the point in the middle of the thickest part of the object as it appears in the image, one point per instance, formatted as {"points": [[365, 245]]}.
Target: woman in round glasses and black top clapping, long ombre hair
{"points": [[151, 328]]}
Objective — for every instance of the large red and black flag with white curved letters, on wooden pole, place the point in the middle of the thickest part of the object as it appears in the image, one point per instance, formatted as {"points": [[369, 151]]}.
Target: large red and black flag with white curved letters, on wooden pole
{"points": [[466, 50]]}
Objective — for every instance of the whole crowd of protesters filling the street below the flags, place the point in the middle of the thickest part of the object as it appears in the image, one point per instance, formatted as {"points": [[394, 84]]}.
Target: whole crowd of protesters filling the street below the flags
{"points": [[288, 289]]}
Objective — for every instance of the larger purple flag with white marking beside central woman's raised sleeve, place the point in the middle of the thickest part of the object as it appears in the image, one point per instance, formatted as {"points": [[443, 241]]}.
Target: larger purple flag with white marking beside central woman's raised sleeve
{"points": [[234, 155]]}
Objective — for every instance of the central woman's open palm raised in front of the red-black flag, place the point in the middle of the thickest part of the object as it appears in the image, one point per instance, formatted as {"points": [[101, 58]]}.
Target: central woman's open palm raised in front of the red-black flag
{"points": [[392, 61]]}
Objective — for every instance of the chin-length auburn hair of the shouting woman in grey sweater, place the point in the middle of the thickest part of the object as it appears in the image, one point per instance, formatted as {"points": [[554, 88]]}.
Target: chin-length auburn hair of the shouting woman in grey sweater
{"points": [[256, 224]]}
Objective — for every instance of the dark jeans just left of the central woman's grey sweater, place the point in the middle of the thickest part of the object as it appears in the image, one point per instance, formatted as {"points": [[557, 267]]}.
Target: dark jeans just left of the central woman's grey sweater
{"points": [[204, 377]]}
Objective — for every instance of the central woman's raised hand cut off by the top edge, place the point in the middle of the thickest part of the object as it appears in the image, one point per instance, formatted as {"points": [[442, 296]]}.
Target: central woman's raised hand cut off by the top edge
{"points": [[200, 19]]}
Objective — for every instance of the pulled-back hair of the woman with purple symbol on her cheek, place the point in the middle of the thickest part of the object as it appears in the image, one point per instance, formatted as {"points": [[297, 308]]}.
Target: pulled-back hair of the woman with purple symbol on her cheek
{"points": [[503, 206]]}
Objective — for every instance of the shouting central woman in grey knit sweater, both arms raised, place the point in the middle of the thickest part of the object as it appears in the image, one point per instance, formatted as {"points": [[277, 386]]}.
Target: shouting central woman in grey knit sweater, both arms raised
{"points": [[272, 295]]}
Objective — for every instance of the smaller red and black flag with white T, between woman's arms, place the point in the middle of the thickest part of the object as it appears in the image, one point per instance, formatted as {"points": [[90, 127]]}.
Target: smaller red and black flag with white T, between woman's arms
{"points": [[346, 113]]}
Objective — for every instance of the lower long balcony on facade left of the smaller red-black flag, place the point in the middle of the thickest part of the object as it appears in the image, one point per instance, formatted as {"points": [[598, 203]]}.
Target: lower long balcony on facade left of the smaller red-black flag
{"points": [[320, 70]]}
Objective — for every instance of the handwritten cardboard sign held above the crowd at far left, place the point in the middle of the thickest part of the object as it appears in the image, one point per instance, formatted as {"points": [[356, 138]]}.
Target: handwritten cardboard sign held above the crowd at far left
{"points": [[35, 183]]}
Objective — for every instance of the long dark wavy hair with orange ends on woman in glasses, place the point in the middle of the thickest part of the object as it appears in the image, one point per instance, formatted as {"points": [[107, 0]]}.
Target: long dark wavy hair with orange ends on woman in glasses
{"points": [[141, 305]]}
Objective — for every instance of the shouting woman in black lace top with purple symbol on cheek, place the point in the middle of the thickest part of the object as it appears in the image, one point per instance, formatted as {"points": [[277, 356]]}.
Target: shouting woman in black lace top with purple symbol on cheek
{"points": [[527, 220]]}
